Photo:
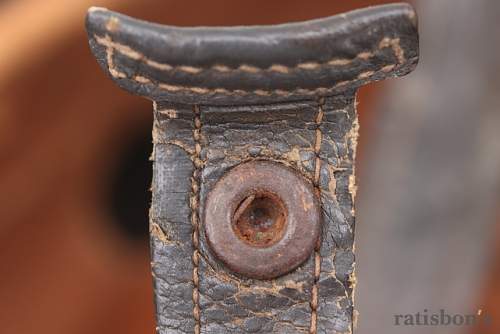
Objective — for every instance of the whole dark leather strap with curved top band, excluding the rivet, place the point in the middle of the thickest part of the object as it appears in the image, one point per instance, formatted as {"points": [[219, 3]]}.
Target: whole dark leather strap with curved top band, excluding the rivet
{"points": [[224, 96]]}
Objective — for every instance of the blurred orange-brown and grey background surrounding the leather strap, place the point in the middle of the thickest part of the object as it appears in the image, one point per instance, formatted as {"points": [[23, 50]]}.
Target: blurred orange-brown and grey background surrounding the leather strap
{"points": [[75, 175]]}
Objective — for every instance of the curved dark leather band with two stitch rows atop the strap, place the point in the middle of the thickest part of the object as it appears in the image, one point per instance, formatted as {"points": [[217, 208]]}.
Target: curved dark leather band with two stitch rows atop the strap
{"points": [[255, 64]]}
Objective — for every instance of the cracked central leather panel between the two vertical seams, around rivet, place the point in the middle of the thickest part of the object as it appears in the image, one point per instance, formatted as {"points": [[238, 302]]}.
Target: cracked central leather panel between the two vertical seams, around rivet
{"points": [[231, 135]]}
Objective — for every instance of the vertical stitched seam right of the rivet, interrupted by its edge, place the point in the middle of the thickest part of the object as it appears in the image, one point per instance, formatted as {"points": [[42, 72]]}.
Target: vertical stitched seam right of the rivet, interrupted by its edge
{"points": [[317, 256]]}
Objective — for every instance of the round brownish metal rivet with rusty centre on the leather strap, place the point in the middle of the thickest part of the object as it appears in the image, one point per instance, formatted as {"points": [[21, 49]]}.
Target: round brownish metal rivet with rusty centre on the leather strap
{"points": [[262, 219]]}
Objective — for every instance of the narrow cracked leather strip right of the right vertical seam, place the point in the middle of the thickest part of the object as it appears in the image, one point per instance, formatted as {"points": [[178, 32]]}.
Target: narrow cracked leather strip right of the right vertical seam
{"points": [[337, 187]]}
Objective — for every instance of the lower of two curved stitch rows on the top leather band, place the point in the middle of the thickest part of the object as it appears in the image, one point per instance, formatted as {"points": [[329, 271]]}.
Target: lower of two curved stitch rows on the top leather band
{"points": [[399, 53]]}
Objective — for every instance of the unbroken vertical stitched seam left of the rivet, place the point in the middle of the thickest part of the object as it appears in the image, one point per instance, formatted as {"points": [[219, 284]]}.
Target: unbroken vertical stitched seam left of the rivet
{"points": [[195, 218]]}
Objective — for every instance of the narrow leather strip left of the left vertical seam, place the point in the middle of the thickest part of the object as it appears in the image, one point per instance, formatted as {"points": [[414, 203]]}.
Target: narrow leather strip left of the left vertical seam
{"points": [[170, 224]]}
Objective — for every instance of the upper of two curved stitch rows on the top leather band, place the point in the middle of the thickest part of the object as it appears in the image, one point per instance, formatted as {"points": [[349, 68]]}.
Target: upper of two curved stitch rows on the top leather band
{"points": [[127, 51]]}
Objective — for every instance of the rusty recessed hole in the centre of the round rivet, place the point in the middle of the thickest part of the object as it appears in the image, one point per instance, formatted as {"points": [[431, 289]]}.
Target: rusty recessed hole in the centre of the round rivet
{"points": [[260, 219]]}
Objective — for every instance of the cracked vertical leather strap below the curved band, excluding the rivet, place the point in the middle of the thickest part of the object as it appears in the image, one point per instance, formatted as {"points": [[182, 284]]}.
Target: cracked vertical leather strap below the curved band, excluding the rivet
{"points": [[286, 133]]}
